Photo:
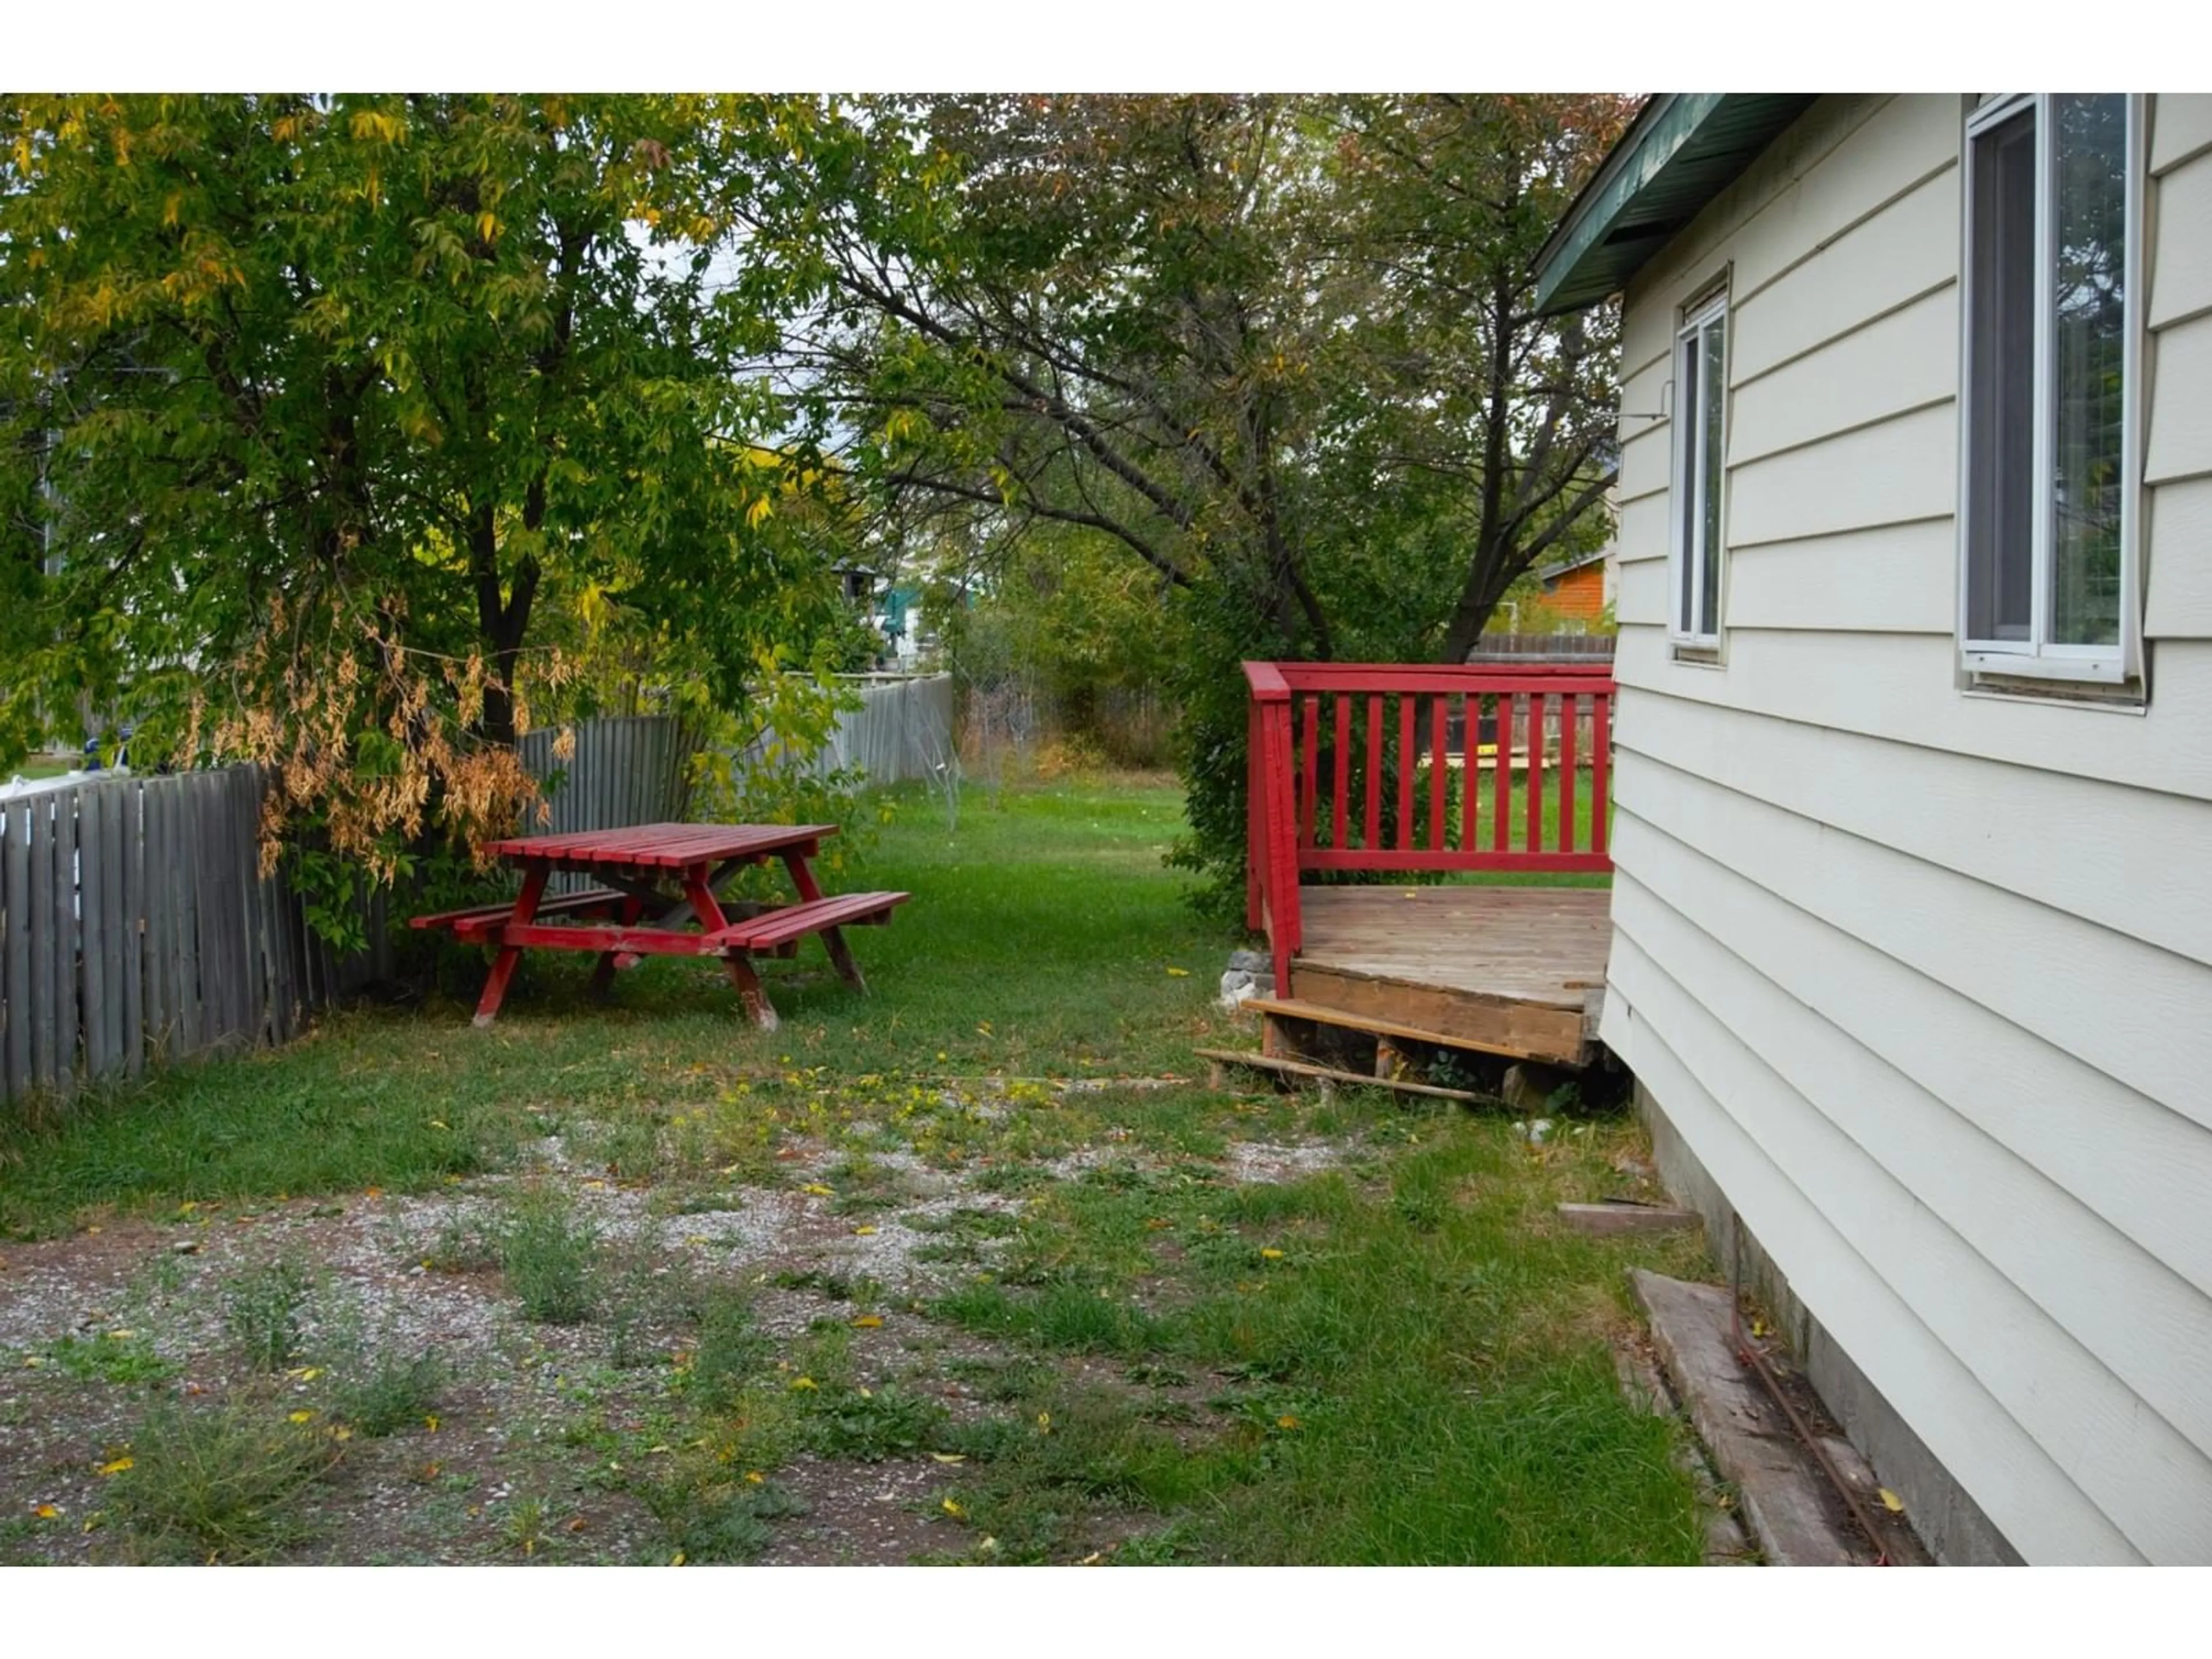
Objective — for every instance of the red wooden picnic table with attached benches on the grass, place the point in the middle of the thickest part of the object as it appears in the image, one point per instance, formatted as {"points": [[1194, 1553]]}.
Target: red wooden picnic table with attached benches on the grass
{"points": [[660, 897]]}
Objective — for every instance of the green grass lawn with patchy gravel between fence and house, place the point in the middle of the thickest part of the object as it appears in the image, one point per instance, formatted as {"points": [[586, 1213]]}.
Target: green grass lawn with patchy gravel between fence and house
{"points": [[1388, 1355]]}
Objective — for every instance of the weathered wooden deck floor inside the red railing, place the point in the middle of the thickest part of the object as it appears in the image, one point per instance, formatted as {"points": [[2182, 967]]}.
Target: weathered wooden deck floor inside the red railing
{"points": [[1503, 970]]}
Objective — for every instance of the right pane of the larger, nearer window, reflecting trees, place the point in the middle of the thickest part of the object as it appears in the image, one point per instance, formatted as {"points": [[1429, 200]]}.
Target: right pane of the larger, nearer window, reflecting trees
{"points": [[2089, 313]]}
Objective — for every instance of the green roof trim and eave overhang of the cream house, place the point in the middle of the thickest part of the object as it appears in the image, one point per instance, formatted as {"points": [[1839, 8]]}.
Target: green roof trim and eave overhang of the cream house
{"points": [[1678, 156]]}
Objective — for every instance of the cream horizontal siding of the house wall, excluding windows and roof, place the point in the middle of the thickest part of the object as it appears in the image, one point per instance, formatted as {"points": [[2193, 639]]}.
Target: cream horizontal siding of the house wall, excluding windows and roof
{"points": [[1926, 979]]}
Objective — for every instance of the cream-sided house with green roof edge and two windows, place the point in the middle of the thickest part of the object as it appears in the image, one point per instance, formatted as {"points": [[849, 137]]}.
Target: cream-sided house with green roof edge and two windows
{"points": [[1912, 921]]}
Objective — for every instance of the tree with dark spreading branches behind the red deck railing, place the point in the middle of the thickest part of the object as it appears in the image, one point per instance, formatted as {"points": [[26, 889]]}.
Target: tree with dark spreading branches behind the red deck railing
{"points": [[1282, 351]]}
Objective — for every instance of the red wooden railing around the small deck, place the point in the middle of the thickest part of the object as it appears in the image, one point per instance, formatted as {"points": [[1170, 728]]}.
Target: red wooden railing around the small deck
{"points": [[1353, 769]]}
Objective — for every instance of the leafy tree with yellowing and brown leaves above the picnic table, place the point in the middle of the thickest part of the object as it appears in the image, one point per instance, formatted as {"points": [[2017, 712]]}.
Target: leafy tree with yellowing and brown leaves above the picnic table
{"points": [[337, 430]]}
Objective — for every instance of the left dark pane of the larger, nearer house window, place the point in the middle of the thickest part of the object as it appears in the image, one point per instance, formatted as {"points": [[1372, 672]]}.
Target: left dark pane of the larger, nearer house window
{"points": [[2001, 384]]}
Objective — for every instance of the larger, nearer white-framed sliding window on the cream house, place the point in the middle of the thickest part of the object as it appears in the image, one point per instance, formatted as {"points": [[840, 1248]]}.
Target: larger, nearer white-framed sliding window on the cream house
{"points": [[2052, 377]]}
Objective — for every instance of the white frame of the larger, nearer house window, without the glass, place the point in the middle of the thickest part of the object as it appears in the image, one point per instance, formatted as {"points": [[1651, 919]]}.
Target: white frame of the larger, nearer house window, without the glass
{"points": [[2038, 656]]}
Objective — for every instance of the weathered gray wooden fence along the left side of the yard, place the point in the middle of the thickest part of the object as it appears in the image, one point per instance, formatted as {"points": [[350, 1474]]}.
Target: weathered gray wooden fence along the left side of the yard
{"points": [[136, 924]]}
